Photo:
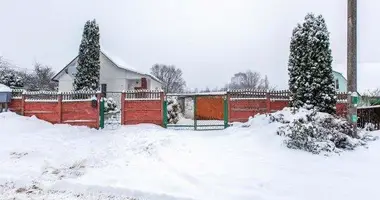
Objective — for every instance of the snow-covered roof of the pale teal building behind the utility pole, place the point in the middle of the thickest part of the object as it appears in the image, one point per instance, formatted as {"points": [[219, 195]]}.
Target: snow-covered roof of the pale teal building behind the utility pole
{"points": [[367, 75]]}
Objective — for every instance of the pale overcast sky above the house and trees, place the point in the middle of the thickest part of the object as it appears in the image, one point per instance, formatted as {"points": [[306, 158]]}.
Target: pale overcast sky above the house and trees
{"points": [[209, 40]]}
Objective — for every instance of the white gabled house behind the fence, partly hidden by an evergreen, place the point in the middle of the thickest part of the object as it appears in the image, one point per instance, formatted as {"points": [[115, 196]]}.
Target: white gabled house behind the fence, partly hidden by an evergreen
{"points": [[114, 76]]}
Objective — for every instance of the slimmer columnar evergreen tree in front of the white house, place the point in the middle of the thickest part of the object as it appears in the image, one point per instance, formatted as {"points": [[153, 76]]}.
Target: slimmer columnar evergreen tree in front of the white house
{"points": [[87, 76]]}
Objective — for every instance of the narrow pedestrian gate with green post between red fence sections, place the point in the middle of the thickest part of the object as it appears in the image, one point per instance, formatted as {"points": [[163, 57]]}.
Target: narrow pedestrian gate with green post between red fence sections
{"points": [[110, 106]]}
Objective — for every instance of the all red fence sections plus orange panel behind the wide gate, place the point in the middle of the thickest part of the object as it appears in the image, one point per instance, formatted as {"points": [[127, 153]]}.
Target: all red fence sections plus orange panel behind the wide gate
{"points": [[143, 106]]}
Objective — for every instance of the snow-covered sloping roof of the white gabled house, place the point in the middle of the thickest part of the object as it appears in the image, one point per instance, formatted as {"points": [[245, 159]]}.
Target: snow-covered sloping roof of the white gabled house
{"points": [[115, 60]]}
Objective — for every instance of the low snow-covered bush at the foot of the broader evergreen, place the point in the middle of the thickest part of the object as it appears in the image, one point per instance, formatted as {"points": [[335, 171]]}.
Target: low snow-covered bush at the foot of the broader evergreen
{"points": [[318, 132]]}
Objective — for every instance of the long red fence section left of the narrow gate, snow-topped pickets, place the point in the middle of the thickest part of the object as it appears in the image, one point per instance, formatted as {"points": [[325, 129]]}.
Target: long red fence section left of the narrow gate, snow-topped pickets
{"points": [[73, 108]]}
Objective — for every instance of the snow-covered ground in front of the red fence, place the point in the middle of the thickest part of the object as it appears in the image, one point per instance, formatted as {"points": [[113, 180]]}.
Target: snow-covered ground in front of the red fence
{"points": [[43, 161]]}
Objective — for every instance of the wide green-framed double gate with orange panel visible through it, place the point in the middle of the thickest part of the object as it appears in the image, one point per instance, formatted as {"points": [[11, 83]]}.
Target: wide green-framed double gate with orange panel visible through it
{"points": [[195, 112]]}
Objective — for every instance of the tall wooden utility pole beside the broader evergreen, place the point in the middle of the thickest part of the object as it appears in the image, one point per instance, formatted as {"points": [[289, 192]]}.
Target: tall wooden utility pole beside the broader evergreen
{"points": [[352, 62]]}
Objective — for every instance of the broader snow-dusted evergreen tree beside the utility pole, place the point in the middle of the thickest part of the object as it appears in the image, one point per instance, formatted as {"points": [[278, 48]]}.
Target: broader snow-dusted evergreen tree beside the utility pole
{"points": [[311, 81]]}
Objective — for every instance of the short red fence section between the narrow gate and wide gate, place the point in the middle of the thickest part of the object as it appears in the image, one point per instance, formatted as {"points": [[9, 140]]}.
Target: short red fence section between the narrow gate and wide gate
{"points": [[142, 106]]}
